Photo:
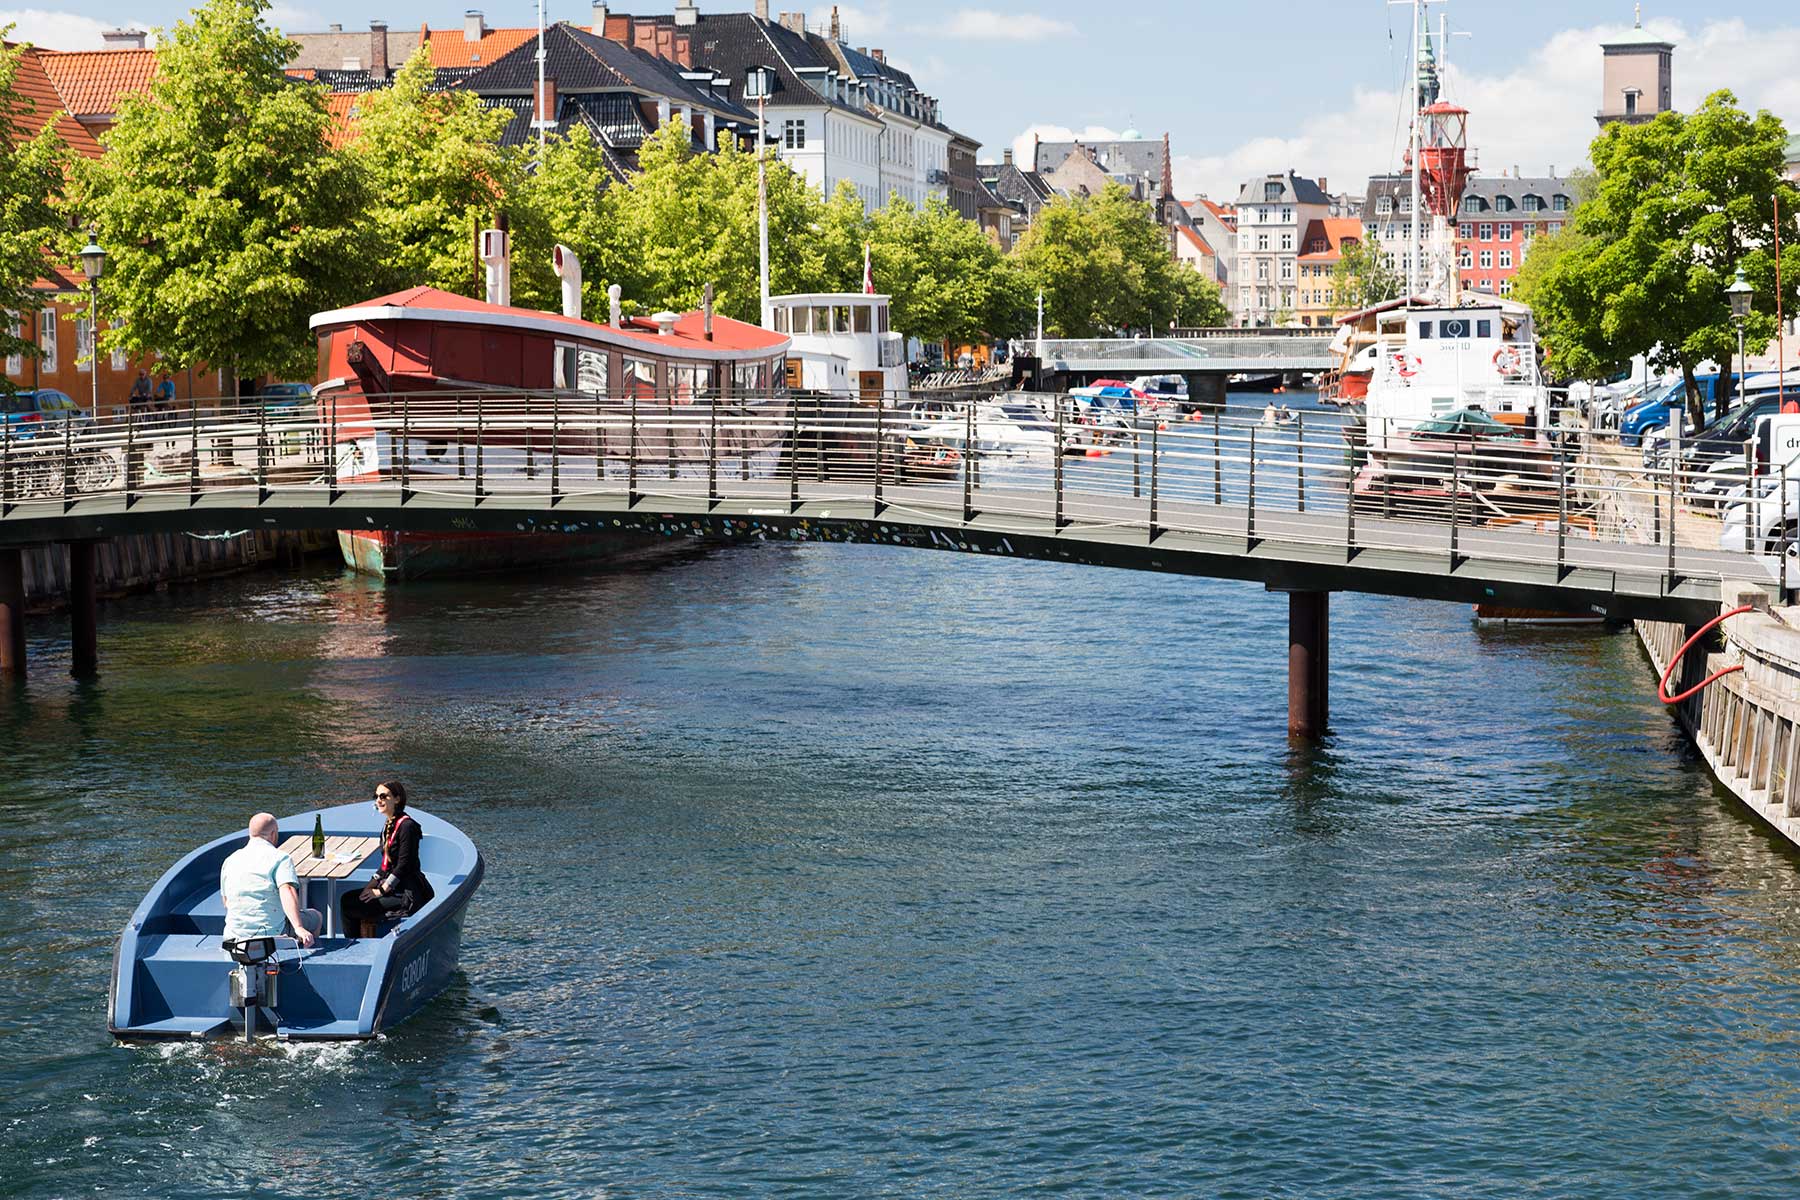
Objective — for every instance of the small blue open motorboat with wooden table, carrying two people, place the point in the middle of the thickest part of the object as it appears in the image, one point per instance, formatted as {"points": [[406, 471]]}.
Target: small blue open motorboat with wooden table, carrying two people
{"points": [[175, 978]]}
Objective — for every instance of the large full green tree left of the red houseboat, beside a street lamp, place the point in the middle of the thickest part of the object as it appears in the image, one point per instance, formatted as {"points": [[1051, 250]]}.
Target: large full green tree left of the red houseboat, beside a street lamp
{"points": [[228, 215]]}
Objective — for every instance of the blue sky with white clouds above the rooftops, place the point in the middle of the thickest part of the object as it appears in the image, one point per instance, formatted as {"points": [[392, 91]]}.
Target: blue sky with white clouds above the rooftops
{"points": [[1241, 87]]}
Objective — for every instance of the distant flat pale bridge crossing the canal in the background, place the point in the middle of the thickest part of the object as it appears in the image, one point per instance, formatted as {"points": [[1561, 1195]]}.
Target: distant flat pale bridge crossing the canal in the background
{"points": [[1212, 352]]}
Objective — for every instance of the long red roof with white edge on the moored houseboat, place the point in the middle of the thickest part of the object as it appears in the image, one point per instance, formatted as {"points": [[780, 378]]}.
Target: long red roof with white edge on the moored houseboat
{"points": [[732, 339]]}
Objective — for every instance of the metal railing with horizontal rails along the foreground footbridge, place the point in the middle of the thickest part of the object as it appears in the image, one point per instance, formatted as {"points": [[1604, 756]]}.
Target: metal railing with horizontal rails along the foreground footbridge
{"points": [[1236, 478]]}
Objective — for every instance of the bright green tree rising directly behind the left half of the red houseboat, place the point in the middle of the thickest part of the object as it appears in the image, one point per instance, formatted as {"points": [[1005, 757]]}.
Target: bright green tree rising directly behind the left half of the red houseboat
{"points": [[436, 175]]}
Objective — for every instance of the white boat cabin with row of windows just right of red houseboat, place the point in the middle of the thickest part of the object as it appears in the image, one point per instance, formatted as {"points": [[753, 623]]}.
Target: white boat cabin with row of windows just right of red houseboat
{"points": [[841, 345]]}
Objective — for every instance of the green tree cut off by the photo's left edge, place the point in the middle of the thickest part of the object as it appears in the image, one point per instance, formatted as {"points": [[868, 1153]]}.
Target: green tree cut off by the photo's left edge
{"points": [[31, 183]]}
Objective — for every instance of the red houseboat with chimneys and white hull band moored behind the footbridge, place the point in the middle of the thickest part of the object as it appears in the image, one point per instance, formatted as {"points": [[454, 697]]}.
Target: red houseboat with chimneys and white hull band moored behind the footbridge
{"points": [[404, 377]]}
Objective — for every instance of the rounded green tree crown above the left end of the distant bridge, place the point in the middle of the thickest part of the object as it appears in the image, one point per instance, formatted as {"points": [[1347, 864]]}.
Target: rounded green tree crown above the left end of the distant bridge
{"points": [[1104, 265]]}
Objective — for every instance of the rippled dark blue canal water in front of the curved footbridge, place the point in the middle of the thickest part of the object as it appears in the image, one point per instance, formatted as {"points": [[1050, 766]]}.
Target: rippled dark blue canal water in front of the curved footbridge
{"points": [[856, 872]]}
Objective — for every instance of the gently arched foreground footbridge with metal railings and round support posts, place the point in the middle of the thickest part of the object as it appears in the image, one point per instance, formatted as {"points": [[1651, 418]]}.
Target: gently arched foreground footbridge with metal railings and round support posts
{"points": [[1223, 496]]}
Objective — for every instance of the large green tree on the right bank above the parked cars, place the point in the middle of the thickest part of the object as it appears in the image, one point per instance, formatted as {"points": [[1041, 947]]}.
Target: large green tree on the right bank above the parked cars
{"points": [[1677, 208]]}
